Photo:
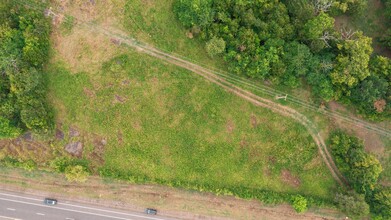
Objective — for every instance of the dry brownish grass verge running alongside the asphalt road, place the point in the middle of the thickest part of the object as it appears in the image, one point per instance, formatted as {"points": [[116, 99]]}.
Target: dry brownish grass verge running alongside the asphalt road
{"points": [[169, 201]]}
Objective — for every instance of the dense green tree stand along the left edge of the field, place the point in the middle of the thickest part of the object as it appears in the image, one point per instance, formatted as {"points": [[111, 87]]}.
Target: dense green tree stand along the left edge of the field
{"points": [[24, 46]]}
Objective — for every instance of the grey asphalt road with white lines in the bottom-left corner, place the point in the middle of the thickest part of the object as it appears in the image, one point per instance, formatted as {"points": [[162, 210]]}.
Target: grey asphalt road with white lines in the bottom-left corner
{"points": [[25, 207]]}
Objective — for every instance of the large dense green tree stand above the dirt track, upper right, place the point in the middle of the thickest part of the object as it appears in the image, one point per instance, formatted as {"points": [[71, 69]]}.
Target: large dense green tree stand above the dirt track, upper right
{"points": [[291, 42]]}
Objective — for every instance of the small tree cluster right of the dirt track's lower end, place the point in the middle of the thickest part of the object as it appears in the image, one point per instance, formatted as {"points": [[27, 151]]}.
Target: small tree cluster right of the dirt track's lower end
{"points": [[362, 171]]}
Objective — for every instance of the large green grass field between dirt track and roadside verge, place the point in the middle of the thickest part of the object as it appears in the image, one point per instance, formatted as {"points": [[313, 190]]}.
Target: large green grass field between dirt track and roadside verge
{"points": [[162, 122]]}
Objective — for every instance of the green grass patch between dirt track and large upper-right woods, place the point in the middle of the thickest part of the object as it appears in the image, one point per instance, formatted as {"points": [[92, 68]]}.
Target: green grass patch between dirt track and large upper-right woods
{"points": [[154, 22]]}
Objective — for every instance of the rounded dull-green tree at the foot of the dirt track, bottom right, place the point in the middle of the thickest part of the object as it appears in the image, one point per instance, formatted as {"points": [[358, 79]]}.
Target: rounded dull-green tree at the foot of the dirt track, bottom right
{"points": [[352, 204]]}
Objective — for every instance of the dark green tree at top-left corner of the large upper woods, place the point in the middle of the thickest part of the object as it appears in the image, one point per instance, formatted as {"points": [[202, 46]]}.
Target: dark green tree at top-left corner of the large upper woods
{"points": [[194, 13]]}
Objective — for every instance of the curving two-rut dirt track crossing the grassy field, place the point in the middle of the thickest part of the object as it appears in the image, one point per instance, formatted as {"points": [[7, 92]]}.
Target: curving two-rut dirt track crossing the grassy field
{"points": [[209, 75]]}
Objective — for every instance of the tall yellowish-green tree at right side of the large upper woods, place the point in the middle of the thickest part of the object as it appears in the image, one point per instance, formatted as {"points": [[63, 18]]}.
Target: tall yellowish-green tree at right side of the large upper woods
{"points": [[352, 62]]}
